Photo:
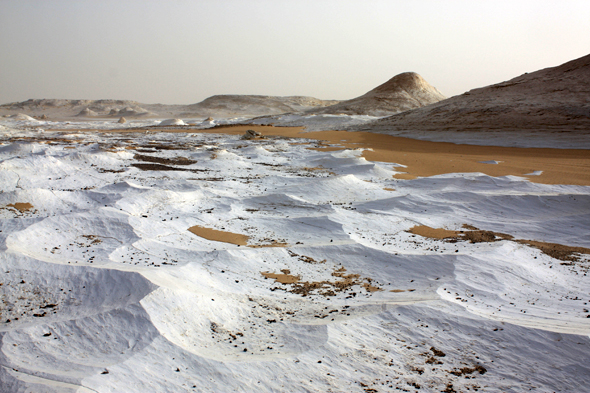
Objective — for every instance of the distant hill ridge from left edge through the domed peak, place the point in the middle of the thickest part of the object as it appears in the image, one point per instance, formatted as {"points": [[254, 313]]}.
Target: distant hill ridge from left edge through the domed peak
{"points": [[402, 92]]}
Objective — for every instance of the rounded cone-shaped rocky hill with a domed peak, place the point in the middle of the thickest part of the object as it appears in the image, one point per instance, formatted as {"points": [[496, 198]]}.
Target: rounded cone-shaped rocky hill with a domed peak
{"points": [[401, 93]]}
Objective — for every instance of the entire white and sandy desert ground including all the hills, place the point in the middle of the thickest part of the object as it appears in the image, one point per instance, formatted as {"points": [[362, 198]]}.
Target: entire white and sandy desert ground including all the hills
{"points": [[396, 241]]}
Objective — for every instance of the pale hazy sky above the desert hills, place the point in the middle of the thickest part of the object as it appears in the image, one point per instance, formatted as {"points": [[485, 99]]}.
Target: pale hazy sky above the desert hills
{"points": [[183, 51]]}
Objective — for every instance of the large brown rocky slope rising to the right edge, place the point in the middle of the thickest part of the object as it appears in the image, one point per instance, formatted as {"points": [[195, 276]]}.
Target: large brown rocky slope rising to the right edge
{"points": [[556, 98]]}
